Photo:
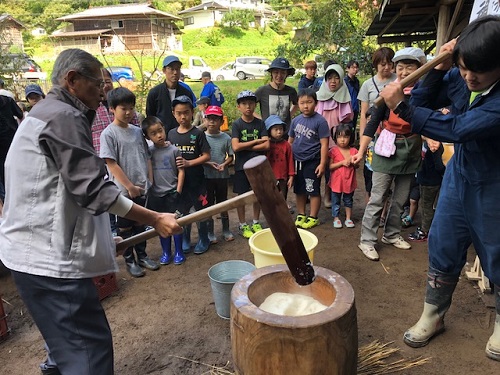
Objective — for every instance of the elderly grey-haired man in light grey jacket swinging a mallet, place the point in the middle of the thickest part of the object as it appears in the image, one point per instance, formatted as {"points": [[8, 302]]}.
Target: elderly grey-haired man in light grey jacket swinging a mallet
{"points": [[55, 235]]}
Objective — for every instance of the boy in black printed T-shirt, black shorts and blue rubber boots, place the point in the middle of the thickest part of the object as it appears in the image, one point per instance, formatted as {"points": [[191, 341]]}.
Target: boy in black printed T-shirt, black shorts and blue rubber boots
{"points": [[195, 151]]}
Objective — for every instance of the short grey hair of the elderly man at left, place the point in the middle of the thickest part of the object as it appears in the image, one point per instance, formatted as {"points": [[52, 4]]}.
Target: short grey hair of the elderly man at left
{"points": [[74, 59]]}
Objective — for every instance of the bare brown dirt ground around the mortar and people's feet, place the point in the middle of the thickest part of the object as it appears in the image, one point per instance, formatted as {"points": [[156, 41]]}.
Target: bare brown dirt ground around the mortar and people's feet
{"points": [[165, 322]]}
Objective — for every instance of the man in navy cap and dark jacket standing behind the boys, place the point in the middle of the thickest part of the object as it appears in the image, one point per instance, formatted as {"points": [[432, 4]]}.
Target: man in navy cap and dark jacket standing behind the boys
{"points": [[160, 97]]}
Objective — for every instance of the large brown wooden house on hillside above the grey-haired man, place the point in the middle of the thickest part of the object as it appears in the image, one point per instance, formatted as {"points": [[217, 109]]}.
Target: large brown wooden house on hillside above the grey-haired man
{"points": [[117, 28]]}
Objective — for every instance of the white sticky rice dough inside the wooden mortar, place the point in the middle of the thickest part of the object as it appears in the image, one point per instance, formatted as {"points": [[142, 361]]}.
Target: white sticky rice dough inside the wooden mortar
{"points": [[290, 304]]}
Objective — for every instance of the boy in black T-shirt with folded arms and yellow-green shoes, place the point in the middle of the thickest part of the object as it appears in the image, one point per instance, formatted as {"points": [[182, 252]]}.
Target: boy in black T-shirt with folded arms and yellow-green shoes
{"points": [[249, 138]]}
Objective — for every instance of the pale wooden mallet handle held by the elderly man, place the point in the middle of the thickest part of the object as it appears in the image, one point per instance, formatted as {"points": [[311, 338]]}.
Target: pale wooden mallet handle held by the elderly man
{"points": [[240, 200]]}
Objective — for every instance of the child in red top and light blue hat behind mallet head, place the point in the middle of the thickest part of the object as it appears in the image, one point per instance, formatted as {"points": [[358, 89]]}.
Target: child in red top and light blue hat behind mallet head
{"points": [[280, 154]]}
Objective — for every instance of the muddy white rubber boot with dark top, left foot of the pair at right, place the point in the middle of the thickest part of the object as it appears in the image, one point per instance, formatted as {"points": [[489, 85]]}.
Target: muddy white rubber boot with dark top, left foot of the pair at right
{"points": [[438, 295]]}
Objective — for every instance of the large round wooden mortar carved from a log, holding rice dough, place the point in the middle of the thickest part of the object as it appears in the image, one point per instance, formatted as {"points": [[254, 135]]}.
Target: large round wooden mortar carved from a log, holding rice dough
{"points": [[321, 343]]}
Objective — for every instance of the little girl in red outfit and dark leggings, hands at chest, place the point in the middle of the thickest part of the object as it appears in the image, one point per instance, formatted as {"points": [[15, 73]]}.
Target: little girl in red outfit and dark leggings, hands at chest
{"points": [[343, 174]]}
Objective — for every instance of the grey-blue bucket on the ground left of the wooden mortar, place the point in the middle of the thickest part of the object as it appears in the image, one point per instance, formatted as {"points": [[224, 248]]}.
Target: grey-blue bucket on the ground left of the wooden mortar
{"points": [[223, 276]]}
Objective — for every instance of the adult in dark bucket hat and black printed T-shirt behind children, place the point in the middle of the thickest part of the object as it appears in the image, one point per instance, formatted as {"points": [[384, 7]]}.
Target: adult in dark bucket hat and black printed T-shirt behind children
{"points": [[276, 98]]}
